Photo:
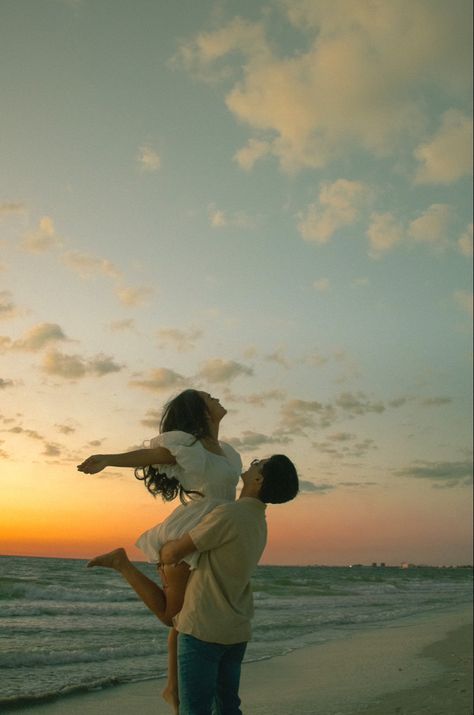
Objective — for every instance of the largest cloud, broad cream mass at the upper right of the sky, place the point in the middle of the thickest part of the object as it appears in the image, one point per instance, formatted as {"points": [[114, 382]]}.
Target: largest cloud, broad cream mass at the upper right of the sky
{"points": [[359, 82]]}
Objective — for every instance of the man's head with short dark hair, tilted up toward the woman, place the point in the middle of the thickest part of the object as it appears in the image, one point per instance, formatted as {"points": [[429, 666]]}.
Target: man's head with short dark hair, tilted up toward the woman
{"points": [[273, 480]]}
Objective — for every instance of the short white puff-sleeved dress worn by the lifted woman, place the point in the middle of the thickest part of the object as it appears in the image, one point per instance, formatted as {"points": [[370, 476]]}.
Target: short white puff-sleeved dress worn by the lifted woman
{"points": [[214, 475]]}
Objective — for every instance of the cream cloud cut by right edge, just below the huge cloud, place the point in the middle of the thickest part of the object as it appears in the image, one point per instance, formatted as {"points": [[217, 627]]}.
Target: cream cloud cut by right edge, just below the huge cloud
{"points": [[447, 157]]}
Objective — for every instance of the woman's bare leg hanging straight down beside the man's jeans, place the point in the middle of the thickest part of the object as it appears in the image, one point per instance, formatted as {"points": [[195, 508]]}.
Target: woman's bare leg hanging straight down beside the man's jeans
{"points": [[174, 580]]}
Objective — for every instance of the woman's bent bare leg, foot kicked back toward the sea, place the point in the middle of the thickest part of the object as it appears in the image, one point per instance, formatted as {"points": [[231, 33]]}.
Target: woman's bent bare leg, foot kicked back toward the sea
{"points": [[151, 594]]}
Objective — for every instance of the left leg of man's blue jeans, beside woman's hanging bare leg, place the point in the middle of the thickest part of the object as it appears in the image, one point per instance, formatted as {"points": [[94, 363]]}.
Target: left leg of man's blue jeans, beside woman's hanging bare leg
{"points": [[198, 668]]}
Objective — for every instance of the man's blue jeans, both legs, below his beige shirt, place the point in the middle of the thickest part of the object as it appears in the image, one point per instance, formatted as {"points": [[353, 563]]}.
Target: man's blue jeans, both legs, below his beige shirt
{"points": [[208, 677]]}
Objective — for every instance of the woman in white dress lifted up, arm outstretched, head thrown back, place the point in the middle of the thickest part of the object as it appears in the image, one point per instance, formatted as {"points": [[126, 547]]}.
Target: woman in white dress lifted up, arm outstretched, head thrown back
{"points": [[185, 460]]}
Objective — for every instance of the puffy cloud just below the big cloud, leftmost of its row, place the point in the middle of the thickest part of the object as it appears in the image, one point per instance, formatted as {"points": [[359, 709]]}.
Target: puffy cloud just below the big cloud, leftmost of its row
{"points": [[339, 204]]}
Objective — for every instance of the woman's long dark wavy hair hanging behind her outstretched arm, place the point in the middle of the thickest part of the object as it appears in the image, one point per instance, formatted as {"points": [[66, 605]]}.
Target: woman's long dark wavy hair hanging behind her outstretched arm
{"points": [[186, 412]]}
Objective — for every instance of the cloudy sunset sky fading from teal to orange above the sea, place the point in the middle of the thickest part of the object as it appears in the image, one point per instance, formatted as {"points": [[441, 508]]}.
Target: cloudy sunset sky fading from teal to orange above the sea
{"points": [[269, 201]]}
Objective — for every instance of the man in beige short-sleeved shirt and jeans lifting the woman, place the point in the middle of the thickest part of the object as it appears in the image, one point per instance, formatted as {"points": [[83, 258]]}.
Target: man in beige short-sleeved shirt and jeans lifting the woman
{"points": [[214, 623]]}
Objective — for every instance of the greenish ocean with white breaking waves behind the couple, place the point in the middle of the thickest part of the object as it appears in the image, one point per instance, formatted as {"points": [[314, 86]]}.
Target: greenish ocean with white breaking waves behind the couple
{"points": [[65, 628]]}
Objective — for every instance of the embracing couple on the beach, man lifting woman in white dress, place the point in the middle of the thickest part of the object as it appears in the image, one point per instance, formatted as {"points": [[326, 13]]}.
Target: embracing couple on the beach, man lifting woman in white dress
{"points": [[206, 550]]}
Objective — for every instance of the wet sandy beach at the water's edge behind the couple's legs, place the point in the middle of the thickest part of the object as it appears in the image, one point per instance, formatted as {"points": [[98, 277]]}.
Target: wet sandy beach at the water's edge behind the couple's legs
{"points": [[417, 665]]}
